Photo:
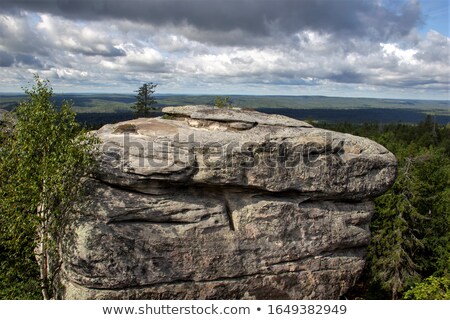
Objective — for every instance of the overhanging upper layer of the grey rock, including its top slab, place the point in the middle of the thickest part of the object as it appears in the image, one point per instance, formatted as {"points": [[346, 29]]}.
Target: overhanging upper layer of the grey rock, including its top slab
{"points": [[244, 149]]}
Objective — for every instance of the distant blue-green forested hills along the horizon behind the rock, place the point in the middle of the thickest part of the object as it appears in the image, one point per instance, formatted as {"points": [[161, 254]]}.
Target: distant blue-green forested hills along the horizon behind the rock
{"points": [[105, 108]]}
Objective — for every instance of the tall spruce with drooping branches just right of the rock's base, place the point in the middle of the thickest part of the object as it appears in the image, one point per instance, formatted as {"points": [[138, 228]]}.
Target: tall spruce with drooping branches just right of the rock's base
{"points": [[395, 236]]}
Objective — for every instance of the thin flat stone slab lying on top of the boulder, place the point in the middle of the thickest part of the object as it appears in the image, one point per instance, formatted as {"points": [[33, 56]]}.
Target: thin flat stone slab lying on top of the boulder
{"points": [[235, 115]]}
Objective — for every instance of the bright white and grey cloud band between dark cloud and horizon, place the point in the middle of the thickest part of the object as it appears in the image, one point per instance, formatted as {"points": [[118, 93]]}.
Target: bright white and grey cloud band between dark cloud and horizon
{"points": [[181, 56]]}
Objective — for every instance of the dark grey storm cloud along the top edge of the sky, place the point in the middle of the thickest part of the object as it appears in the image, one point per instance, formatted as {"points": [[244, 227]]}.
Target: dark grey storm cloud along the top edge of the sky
{"points": [[355, 18]]}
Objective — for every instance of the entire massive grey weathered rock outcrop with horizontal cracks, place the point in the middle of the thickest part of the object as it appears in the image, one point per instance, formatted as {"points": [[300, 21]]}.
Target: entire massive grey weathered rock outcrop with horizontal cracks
{"points": [[225, 204]]}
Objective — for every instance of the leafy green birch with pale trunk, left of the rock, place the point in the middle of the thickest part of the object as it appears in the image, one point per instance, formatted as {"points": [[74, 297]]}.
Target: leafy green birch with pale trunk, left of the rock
{"points": [[43, 160]]}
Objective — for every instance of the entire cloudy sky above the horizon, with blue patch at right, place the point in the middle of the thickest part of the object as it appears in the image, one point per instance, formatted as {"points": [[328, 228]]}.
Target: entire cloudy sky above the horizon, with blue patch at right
{"points": [[373, 48]]}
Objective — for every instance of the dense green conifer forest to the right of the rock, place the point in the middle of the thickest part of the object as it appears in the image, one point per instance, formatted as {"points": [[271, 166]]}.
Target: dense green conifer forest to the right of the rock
{"points": [[409, 256]]}
